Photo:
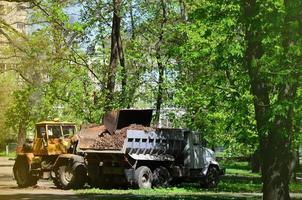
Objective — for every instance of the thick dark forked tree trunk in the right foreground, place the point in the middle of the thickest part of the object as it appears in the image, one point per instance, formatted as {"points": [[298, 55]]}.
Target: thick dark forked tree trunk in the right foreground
{"points": [[274, 95]]}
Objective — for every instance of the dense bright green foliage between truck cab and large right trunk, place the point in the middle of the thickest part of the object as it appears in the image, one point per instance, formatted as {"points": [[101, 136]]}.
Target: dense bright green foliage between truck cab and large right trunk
{"points": [[212, 85]]}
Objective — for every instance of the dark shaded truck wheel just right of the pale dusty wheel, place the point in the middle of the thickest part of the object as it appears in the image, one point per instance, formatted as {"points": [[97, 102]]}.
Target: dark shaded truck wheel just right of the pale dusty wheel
{"points": [[161, 177]]}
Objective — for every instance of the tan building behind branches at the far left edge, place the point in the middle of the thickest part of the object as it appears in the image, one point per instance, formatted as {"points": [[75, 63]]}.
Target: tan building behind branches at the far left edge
{"points": [[13, 19]]}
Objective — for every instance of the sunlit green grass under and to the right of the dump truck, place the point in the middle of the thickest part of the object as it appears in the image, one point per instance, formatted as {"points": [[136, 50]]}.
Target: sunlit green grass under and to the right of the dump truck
{"points": [[238, 181]]}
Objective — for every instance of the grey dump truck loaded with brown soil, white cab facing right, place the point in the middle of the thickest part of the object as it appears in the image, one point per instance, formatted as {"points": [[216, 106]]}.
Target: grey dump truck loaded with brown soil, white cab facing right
{"points": [[126, 151]]}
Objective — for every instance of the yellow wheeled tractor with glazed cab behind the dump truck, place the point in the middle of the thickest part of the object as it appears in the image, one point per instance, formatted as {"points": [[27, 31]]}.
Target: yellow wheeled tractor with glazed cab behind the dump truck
{"points": [[50, 155]]}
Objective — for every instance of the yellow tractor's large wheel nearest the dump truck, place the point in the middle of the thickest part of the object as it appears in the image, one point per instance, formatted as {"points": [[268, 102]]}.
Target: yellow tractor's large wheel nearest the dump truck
{"points": [[68, 177]]}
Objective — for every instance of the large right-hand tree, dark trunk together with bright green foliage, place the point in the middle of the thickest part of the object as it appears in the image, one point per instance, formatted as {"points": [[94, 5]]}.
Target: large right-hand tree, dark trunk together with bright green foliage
{"points": [[247, 49]]}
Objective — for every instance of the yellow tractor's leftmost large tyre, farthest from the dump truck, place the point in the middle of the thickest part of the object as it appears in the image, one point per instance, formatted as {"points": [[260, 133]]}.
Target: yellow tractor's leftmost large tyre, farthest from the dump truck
{"points": [[22, 174]]}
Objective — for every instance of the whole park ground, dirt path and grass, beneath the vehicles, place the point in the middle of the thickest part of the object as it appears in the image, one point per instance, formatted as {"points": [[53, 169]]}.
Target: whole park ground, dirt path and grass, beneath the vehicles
{"points": [[238, 183]]}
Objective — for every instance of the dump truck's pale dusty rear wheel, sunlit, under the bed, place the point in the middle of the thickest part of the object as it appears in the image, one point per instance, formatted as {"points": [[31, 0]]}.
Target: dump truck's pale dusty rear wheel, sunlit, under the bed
{"points": [[143, 177]]}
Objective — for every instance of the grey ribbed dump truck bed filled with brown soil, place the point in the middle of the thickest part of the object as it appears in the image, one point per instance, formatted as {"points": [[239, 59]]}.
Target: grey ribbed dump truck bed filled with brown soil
{"points": [[140, 143]]}
